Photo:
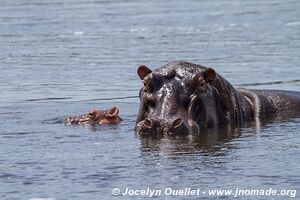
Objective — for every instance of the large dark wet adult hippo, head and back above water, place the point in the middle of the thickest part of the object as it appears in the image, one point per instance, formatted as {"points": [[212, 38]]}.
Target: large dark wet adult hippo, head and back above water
{"points": [[183, 97]]}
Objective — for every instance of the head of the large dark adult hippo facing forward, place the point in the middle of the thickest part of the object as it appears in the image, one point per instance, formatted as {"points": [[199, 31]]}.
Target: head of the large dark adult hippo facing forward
{"points": [[176, 100]]}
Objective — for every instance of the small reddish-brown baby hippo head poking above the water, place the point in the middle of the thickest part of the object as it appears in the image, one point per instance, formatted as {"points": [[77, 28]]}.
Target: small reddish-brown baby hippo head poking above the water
{"points": [[95, 117]]}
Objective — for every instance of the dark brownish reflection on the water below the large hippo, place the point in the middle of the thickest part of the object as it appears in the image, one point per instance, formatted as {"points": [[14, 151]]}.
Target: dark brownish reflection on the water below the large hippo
{"points": [[209, 141]]}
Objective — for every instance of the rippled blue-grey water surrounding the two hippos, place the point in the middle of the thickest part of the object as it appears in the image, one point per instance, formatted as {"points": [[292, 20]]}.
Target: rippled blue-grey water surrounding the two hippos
{"points": [[62, 58]]}
